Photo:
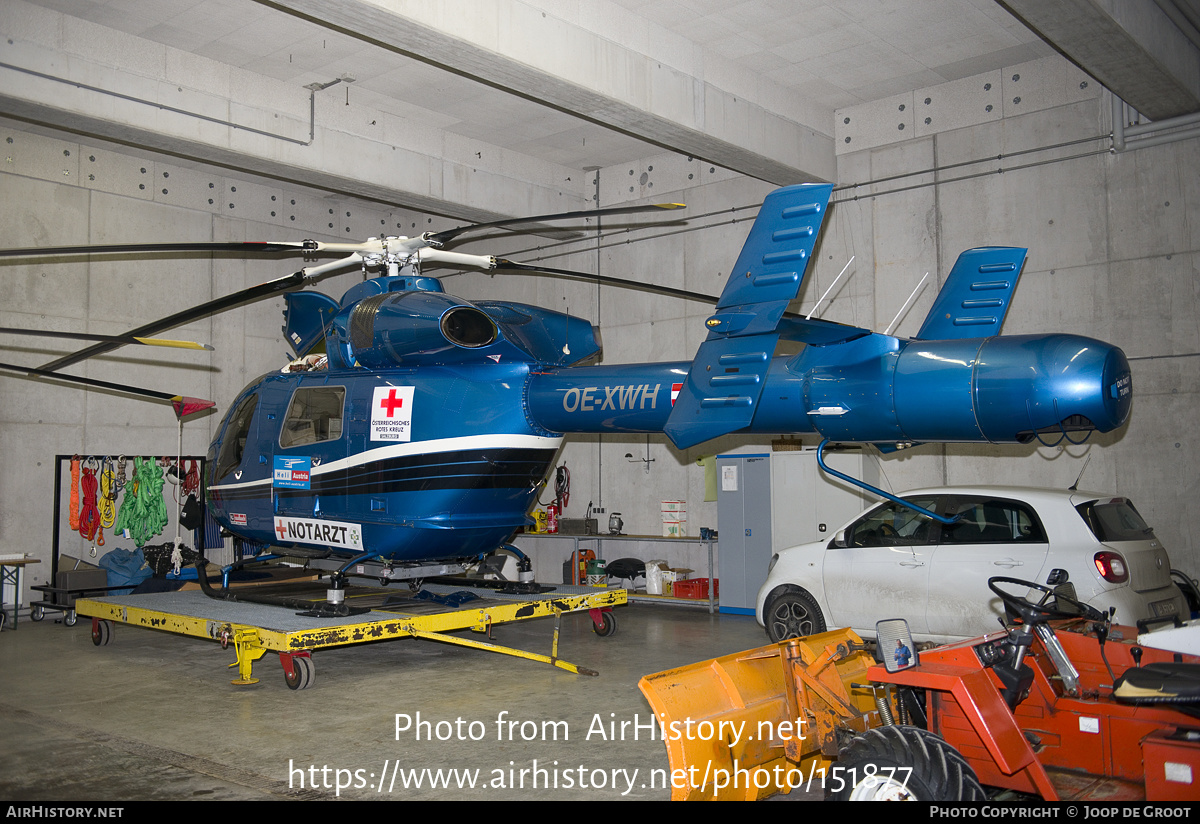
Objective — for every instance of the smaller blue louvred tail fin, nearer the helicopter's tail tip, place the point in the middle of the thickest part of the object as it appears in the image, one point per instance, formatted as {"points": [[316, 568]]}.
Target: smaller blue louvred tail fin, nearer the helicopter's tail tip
{"points": [[976, 296]]}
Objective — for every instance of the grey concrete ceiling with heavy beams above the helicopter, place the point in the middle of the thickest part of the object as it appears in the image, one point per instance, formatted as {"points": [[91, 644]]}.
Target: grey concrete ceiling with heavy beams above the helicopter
{"points": [[752, 86]]}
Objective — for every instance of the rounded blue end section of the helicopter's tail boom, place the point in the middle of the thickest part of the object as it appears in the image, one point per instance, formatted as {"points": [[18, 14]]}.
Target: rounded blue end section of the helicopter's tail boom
{"points": [[1072, 384]]}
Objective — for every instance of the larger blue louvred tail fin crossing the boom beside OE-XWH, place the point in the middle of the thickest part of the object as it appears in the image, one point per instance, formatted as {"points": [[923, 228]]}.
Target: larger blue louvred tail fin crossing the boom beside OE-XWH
{"points": [[728, 375]]}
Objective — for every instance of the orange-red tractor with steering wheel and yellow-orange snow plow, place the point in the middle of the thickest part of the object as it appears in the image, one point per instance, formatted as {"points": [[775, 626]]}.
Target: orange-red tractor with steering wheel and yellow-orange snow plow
{"points": [[1063, 705]]}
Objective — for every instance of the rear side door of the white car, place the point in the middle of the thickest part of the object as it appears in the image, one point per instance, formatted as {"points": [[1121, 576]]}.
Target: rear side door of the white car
{"points": [[993, 537]]}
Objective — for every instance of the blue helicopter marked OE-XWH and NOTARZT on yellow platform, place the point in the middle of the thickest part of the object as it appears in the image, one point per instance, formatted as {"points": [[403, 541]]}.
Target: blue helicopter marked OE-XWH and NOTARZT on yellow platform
{"points": [[417, 428]]}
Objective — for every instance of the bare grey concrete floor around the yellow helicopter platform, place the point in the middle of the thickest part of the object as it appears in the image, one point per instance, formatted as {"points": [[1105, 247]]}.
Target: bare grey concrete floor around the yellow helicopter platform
{"points": [[153, 717]]}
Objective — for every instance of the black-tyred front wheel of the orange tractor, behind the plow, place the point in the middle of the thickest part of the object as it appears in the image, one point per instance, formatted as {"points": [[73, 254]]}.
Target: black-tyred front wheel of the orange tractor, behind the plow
{"points": [[903, 765]]}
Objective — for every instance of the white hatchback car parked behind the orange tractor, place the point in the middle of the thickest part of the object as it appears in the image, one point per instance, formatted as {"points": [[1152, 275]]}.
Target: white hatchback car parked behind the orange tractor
{"points": [[892, 562]]}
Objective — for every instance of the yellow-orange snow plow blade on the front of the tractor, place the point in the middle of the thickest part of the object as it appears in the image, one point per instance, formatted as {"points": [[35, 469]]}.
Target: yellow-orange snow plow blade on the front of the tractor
{"points": [[760, 723]]}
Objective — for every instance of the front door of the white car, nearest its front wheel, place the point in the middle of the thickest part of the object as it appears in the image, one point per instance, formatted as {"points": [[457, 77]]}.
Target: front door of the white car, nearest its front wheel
{"points": [[880, 568]]}
